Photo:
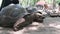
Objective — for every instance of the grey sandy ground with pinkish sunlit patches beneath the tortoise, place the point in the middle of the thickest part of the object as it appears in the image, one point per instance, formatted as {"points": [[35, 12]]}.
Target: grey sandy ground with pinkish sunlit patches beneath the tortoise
{"points": [[50, 26]]}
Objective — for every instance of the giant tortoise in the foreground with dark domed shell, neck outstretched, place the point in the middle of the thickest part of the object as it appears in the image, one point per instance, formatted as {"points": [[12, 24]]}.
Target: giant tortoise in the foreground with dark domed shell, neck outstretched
{"points": [[17, 17]]}
